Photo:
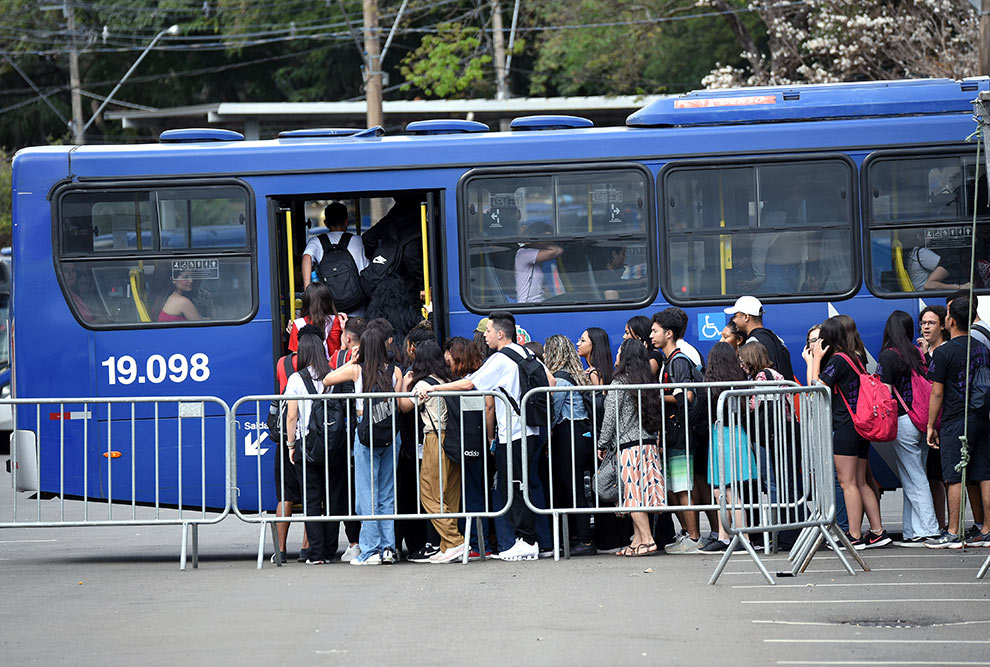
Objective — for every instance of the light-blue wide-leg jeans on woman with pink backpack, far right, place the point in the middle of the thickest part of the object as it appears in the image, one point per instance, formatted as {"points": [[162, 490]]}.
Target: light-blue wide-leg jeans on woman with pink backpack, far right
{"points": [[911, 457]]}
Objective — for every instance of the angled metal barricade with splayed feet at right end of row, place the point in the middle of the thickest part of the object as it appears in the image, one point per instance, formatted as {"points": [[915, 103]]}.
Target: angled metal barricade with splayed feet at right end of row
{"points": [[776, 472]]}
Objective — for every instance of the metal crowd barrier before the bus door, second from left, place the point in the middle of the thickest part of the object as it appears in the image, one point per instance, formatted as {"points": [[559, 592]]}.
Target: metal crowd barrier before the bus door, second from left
{"points": [[255, 483]]}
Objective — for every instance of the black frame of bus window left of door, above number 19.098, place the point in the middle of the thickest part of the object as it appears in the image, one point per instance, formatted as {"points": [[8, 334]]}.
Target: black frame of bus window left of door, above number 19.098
{"points": [[248, 250]]}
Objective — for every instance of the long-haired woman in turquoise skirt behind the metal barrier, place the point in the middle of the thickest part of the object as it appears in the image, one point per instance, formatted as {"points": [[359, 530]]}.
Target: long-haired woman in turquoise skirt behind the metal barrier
{"points": [[732, 459]]}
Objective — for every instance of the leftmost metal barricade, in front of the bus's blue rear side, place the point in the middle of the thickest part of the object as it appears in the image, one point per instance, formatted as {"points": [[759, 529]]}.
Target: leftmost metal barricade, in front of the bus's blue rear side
{"points": [[121, 461]]}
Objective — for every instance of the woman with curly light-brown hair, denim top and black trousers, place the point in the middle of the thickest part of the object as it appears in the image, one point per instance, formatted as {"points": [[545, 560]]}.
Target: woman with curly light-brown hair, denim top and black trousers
{"points": [[571, 447]]}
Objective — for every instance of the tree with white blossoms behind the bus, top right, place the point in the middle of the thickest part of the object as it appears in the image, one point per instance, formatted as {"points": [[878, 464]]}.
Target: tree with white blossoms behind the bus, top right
{"points": [[818, 41]]}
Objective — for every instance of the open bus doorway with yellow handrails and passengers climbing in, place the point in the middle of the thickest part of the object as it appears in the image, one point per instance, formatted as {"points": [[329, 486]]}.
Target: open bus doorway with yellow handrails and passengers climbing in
{"points": [[395, 244]]}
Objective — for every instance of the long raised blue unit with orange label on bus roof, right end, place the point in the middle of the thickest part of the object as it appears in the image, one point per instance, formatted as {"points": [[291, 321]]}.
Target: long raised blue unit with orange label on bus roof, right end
{"points": [[830, 101]]}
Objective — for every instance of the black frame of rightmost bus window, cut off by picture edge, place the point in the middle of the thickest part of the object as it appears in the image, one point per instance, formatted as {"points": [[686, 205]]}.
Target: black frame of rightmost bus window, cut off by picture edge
{"points": [[952, 150]]}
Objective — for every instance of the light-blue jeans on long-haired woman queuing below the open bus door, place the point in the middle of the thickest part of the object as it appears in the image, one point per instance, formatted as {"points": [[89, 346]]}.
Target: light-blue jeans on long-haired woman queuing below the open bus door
{"points": [[374, 489]]}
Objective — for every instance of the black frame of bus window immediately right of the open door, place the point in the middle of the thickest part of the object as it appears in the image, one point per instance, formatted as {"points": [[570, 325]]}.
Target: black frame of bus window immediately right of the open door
{"points": [[550, 170]]}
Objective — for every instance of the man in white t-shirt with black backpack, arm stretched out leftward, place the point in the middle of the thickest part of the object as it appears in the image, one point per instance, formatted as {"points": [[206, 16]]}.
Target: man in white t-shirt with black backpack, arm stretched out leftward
{"points": [[500, 373]]}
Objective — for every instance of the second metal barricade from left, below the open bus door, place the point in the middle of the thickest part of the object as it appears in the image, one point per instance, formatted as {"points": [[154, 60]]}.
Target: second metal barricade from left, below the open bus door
{"points": [[340, 486]]}
